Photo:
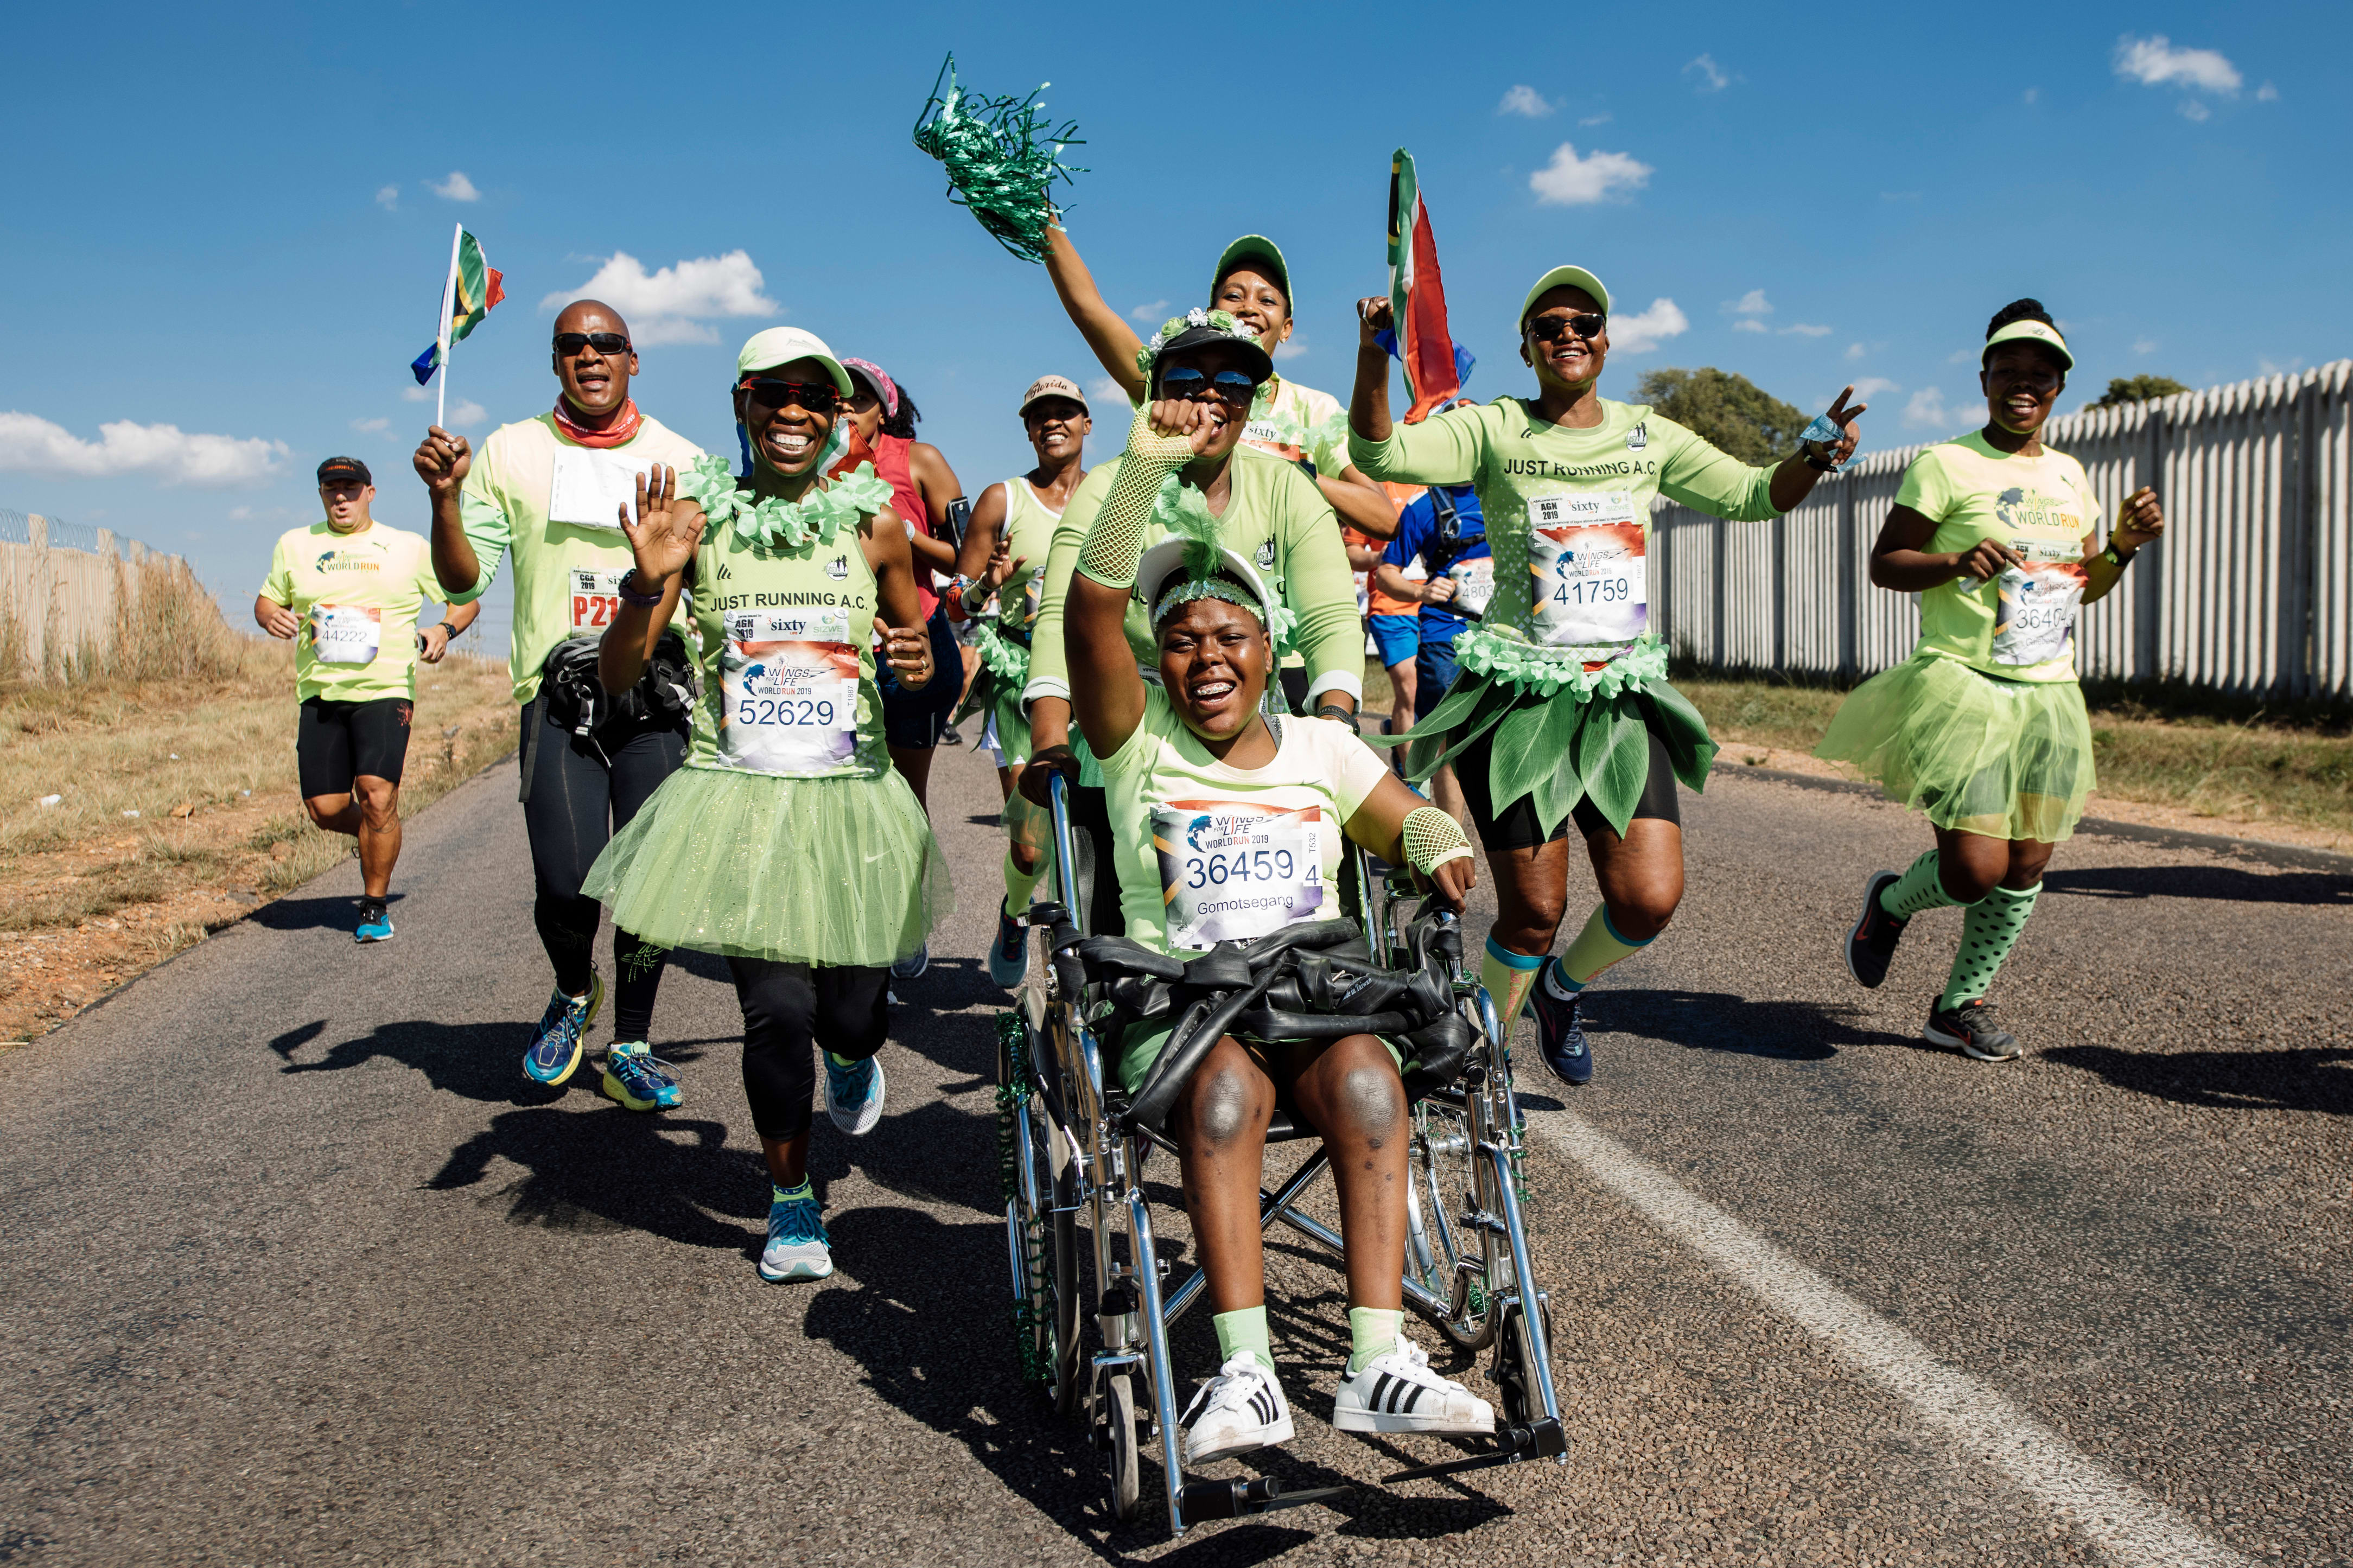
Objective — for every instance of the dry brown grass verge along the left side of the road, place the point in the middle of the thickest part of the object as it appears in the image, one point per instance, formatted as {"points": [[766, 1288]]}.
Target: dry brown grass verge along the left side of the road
{"points": [[178, 808]]}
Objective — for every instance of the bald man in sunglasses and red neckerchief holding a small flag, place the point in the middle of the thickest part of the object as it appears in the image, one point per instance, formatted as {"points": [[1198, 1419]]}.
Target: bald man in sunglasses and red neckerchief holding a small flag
{"points": [[549, 495]]}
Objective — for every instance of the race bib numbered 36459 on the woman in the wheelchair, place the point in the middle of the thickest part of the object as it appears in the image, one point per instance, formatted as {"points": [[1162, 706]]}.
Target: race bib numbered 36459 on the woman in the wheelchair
{"points": [[1232, 871]]}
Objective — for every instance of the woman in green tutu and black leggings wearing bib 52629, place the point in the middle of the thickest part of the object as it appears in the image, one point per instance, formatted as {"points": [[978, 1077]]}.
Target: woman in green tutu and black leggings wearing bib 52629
{"points": [[787, 843]]}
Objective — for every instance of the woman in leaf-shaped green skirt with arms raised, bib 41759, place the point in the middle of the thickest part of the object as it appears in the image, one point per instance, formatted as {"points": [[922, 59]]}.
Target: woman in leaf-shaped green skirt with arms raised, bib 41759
{"points": [[1564, 711]]}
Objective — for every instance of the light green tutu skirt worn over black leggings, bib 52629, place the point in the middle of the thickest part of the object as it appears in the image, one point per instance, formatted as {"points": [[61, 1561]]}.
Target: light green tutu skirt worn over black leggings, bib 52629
{"points": [[841, 873]]}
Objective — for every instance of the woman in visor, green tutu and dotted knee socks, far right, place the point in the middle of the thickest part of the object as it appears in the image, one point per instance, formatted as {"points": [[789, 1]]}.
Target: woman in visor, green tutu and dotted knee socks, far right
{"points": [[1985, 728]]}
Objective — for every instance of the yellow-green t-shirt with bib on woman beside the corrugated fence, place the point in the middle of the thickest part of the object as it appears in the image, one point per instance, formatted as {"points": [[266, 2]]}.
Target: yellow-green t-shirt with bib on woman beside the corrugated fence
{"points": [[2022, 624]]}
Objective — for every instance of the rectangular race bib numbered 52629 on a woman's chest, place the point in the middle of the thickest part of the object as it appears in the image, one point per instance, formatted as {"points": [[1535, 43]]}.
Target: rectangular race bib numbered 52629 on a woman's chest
{"points": [[789, 690]]}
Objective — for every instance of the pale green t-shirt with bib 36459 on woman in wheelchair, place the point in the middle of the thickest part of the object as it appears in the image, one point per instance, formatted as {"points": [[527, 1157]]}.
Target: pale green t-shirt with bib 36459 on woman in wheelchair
{"points": [[1211, 852]]}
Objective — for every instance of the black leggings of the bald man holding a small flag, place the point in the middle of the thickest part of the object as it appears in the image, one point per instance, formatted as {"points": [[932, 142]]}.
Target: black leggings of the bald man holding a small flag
{"points": [[573, 803]]}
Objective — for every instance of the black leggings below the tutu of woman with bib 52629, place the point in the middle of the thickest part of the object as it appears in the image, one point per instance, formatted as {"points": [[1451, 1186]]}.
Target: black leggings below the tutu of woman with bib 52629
{"points": [[789, 1012]]}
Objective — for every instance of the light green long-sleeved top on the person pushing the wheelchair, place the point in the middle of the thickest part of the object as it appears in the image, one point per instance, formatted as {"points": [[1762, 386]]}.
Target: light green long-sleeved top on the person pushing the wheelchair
{"points": [[1274, 518]]}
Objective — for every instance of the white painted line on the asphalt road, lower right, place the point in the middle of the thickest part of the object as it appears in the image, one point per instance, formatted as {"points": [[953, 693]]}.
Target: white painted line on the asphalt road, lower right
{"points": [[2124, 1522]]}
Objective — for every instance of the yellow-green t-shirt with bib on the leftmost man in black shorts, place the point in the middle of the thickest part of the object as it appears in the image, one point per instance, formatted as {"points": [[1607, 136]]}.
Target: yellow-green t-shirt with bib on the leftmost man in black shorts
{"points": [[359, 598]]}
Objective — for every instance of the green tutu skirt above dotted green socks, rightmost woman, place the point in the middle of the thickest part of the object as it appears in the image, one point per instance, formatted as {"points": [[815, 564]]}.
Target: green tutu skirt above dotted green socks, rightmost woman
{"points": [[2008, 760]]}
